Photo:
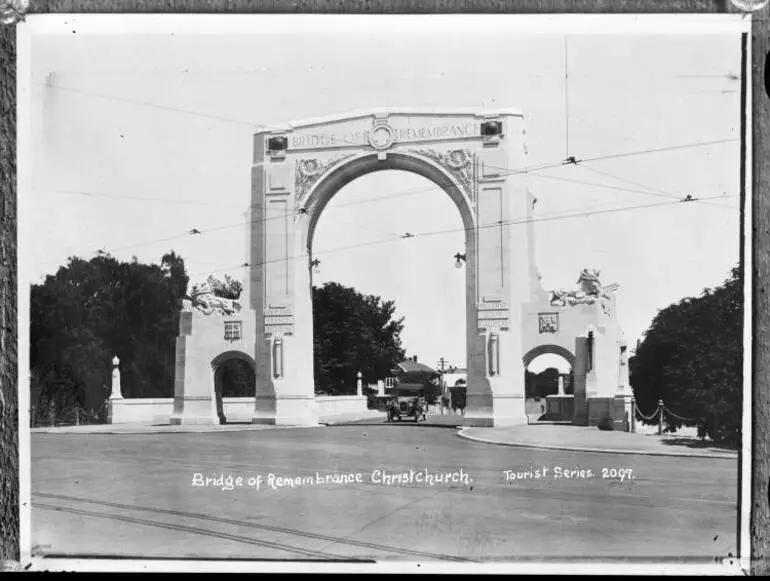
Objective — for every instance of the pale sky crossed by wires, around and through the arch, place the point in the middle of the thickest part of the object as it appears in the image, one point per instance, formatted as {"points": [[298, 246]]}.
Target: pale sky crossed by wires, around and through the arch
{"points": [[139, 138]]}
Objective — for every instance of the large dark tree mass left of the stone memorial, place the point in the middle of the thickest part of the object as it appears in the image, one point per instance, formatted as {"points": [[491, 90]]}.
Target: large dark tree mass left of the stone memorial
{"points": [[90, 311]]}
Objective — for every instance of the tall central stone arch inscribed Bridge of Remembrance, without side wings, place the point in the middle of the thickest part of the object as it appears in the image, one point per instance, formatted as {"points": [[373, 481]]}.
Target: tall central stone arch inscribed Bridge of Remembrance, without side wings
{"points": [[297, 169]]}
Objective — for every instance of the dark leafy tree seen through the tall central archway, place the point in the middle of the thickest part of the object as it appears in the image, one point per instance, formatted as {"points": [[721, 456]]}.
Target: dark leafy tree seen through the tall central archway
{"points": [[353, 332]]}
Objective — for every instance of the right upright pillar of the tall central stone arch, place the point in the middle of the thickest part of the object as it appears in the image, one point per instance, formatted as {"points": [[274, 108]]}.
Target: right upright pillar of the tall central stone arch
{"points": [[499, 271]]}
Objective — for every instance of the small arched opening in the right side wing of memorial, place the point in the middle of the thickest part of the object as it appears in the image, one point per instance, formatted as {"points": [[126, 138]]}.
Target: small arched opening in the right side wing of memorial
{"points": [[548, 371]]}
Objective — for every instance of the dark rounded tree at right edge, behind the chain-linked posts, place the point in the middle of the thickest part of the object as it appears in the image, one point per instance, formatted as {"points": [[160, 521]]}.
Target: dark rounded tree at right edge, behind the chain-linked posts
{"points": [[692, 358]]}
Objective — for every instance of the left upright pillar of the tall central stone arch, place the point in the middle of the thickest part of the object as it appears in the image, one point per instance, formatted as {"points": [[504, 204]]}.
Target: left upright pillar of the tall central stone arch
{"points": [[280, 289]]}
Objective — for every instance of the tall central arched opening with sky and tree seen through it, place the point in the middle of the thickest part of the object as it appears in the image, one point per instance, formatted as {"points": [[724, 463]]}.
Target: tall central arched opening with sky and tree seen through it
{"points": [[386, 228]]}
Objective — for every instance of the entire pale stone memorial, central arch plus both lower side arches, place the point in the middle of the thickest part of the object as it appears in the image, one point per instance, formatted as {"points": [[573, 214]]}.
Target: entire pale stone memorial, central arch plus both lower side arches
{"points": [[477, 158]]}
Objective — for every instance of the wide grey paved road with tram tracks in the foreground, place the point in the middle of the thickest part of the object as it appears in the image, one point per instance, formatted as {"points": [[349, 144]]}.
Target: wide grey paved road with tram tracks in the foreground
{"points": [[132, 495]]}
